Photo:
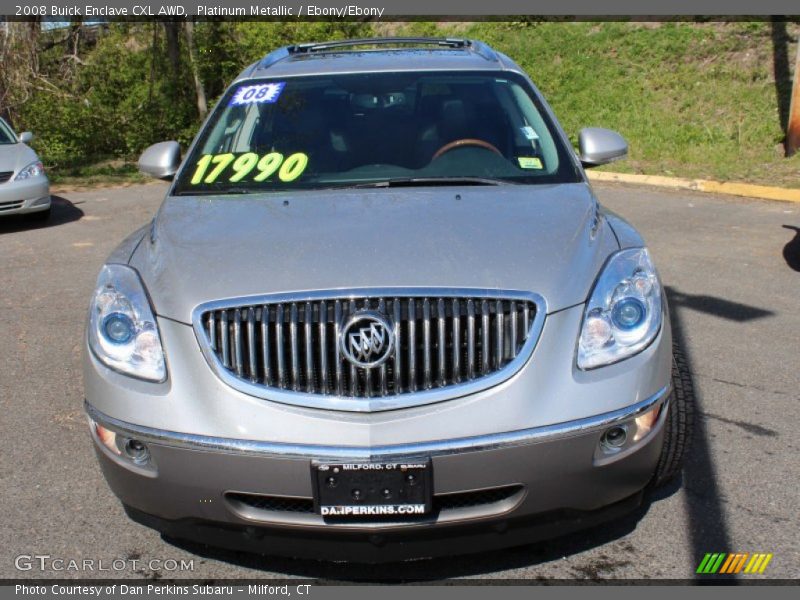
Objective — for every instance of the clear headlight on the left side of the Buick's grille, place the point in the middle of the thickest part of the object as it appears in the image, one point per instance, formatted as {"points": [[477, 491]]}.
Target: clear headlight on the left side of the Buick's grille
{"points": [[122, 330]]}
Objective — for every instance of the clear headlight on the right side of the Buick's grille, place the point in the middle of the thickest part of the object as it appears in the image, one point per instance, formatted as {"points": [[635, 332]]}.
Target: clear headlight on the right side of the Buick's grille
{"points": [[623, 314]]}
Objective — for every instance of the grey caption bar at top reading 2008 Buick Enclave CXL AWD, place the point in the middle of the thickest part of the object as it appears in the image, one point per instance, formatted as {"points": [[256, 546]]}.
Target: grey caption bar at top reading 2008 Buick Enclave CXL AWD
{"points": [[383, 9]]}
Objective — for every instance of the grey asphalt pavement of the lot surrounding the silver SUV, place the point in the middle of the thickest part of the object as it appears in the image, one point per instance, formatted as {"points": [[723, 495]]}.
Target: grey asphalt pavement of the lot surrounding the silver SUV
{"points": [[732, 270]]}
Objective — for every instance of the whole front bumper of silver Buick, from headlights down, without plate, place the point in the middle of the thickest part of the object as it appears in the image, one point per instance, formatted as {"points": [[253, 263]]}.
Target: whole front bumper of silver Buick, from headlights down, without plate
{"points": [[243, 464]]}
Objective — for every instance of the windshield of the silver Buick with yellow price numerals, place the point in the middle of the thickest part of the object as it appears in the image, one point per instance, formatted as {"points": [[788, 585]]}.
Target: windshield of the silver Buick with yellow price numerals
{"points": [[376, 129]]}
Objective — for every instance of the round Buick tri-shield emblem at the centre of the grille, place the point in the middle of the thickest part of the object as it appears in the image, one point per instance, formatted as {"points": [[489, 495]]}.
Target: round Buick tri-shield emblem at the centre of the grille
{"points": [[366, 339]]}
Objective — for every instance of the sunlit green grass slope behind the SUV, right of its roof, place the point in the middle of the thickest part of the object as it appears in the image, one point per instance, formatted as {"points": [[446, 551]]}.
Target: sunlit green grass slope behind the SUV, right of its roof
{"points": [[693, 100]]}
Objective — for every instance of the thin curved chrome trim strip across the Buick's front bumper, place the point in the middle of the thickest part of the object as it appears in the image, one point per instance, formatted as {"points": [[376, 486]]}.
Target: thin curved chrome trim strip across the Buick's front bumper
{"points": [[374, 453]]}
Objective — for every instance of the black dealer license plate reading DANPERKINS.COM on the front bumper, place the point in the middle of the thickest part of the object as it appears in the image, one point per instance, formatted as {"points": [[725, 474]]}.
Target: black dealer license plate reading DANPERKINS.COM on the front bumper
{"points": [[368, 489]]}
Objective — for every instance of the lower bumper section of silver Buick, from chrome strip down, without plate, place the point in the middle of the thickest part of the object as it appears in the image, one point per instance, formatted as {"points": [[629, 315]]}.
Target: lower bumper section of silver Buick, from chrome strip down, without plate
{"points": [[536, 483]]}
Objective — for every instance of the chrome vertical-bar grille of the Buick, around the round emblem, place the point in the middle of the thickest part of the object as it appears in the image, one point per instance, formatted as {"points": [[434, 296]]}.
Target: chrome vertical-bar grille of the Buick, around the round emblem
{"points": [[442, 344]]}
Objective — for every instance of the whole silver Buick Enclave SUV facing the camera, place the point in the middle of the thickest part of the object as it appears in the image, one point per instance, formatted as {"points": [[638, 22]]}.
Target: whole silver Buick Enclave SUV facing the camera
{"points": [[379, 315]]}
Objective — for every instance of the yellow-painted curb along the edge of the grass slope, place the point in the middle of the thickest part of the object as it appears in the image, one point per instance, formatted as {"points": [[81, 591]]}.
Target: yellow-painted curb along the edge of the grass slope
{"points": [[748, 190]]}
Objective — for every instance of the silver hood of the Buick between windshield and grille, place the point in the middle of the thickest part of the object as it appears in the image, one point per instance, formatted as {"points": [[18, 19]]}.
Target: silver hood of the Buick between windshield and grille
{"points": [[531, 238]]}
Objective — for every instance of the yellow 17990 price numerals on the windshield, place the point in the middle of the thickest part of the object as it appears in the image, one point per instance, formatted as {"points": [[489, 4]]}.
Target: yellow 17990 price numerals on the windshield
{"points": [[211, 166]]}
